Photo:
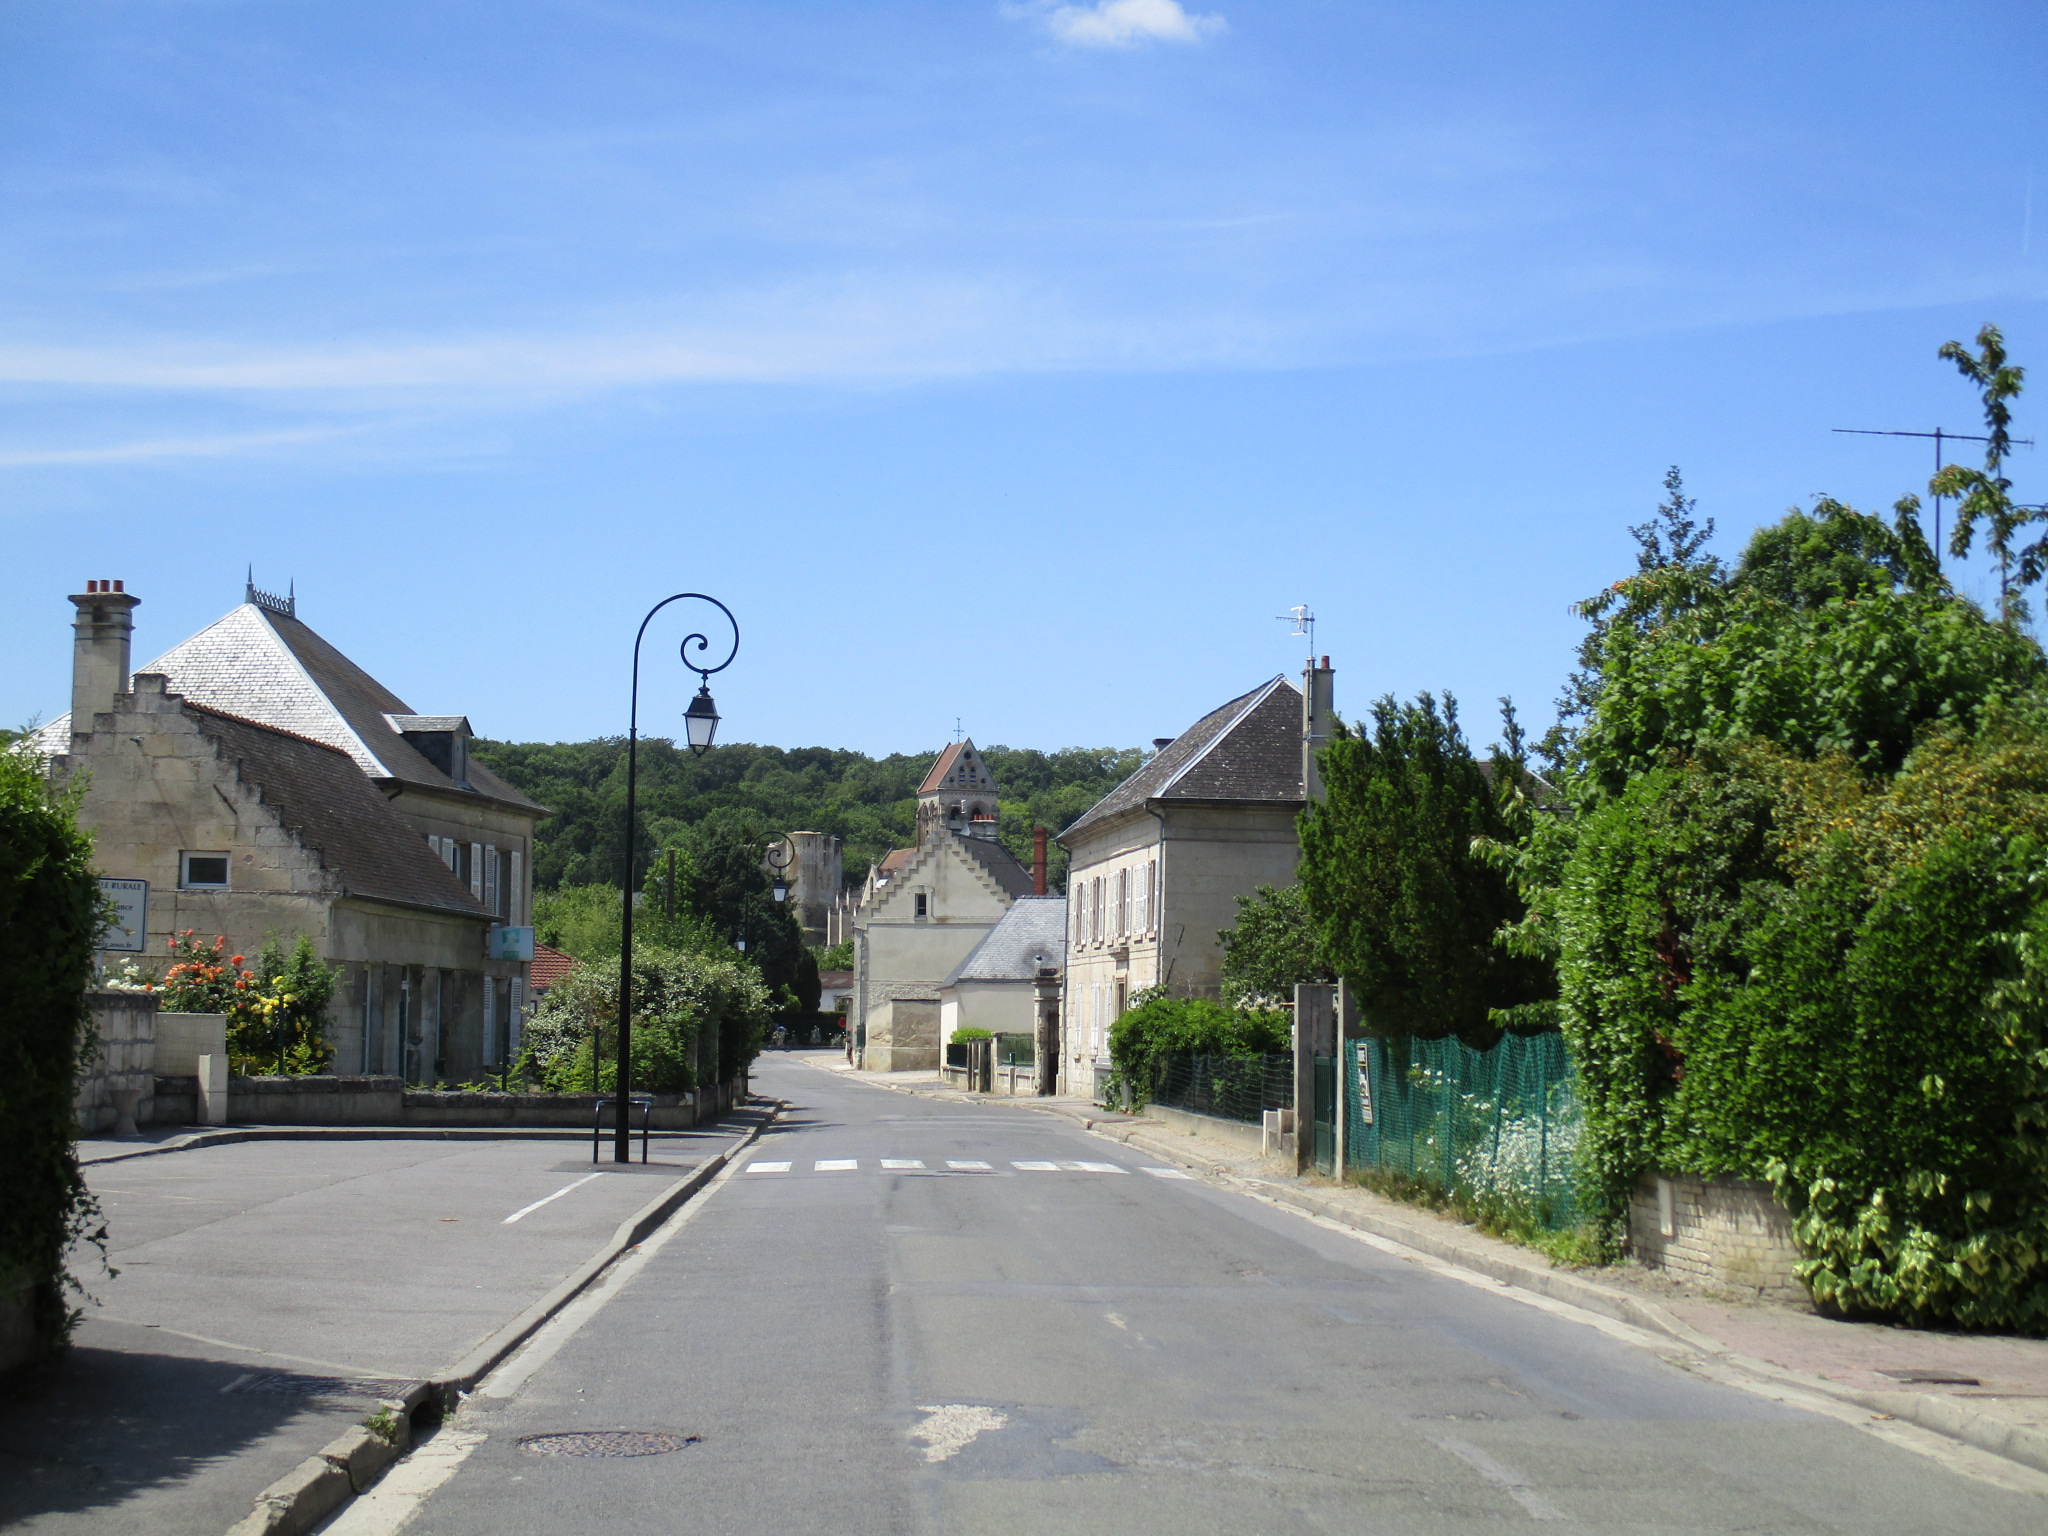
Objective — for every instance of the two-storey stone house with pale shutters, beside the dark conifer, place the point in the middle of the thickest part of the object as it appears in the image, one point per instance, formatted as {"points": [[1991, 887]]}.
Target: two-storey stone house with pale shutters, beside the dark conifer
{"points": [[1156, 865]]}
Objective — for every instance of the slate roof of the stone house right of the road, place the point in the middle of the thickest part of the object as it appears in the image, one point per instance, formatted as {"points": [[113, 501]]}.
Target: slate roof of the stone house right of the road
{"points": [[1246, 753]]}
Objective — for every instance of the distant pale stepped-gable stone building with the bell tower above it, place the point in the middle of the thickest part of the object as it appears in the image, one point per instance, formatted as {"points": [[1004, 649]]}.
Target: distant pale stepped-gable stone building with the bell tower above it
{"points": [[927, 908]]}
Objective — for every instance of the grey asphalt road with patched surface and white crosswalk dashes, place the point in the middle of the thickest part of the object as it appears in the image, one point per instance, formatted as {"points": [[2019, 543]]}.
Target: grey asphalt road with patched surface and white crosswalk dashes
{"points": [[871, 1332]]}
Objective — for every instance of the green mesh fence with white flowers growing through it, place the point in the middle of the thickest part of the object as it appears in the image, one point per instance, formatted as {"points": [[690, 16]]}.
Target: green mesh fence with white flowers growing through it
{"points": [[1492, 1125]]}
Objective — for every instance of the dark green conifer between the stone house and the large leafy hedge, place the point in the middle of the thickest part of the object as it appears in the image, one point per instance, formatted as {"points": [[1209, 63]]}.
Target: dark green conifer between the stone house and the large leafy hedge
{"points": [[1404, 906]]}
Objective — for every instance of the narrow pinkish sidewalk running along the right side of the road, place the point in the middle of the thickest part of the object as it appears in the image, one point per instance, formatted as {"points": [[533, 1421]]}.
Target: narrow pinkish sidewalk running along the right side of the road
{"points": [[1990, 1392]]}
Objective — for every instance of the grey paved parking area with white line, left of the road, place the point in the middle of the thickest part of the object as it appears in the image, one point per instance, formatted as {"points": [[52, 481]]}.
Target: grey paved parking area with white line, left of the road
{"points": [[273, 1289]]}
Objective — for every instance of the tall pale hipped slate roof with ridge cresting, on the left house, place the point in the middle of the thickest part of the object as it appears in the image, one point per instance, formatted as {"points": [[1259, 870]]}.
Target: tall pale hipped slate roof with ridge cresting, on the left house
{"points": [[265, 667]]}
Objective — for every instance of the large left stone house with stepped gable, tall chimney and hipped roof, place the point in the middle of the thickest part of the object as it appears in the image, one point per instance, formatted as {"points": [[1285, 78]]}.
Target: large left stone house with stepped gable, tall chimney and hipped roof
{"points": [[255, 783]]}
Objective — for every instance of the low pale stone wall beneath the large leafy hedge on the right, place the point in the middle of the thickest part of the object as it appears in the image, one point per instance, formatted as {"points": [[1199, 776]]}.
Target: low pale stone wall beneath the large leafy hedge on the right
{"points": [[1727, 1232]]}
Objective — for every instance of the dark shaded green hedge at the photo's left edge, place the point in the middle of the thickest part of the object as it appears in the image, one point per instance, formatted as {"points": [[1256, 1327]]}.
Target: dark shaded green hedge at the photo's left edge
{"points": [[50, 919]]}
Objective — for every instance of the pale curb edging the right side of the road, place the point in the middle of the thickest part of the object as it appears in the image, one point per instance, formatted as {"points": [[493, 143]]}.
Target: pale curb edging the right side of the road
{"points": [[1943, 1414]]}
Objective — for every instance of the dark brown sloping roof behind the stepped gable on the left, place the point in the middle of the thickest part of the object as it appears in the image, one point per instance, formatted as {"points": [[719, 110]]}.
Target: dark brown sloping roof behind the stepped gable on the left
{"points": [[337, 812]]}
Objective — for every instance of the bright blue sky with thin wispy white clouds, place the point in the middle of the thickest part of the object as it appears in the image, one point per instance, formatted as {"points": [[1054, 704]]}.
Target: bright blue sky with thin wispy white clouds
{"points": [[1013, 364]]}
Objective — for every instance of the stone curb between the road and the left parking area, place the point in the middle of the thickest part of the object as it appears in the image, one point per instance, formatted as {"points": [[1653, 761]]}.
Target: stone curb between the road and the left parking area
{"points": [[353, 1461]]}
